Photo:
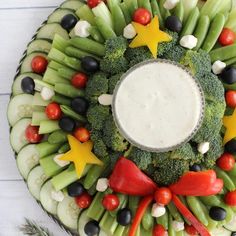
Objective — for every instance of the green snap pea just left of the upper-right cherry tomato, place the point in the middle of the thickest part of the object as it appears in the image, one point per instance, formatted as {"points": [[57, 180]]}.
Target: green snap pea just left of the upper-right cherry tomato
{"points": [[214, 32]]}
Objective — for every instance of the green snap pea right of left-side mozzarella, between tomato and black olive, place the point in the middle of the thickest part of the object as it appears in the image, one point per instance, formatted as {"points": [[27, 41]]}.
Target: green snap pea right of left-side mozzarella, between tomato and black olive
{"points": [[68, 90]]}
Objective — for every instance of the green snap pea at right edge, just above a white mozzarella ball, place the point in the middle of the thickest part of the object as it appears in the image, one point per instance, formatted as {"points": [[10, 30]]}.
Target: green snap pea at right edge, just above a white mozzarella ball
{"points": [[223, 53]]}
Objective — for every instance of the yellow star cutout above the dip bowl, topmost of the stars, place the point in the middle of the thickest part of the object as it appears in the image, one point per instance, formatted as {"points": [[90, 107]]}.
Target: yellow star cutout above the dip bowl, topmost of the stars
{"points": [[149, 35]]}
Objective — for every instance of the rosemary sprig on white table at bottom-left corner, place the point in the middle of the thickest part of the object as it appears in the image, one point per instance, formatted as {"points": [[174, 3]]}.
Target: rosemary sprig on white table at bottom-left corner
{"points": [[31, 228]]}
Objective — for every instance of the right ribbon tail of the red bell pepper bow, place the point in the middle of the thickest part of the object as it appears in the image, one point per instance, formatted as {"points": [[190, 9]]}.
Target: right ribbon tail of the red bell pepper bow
{"points": [[190, 217]]}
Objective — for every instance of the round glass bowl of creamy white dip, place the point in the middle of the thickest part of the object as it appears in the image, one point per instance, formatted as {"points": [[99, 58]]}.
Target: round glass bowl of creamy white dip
{"points": [[157, 106]]}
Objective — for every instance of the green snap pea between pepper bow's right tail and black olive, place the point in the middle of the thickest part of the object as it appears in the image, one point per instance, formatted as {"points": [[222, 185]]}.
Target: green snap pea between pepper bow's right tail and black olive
{"points": [[196, 208]]}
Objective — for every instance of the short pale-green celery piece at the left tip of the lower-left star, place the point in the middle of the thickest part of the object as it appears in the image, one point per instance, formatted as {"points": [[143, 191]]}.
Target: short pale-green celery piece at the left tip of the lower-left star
{"points": [[49, 166]]}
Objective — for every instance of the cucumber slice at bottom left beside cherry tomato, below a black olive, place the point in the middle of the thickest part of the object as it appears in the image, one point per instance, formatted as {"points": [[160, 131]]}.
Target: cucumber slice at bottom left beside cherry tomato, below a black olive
{"points": [[68, 212]]}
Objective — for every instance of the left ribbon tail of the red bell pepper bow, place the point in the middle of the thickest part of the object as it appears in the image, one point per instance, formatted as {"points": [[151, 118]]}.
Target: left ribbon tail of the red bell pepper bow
{"points": [[143, 205]]}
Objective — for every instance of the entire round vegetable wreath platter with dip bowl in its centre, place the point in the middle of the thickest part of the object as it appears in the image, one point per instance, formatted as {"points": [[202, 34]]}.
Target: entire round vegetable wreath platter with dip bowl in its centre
{"points": [[89, 135]]}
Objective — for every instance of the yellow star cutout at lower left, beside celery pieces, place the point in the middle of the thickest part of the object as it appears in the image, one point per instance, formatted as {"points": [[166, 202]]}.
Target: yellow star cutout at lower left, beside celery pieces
{"points": [[81, 154]]}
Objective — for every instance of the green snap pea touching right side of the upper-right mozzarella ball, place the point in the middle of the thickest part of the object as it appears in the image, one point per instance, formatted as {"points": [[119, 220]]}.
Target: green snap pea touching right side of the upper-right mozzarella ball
{"points": [[201, 30]]}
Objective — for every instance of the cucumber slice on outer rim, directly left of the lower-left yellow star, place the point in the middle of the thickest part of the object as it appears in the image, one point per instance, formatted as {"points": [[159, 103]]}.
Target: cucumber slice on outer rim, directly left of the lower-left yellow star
{"points": [[27, 159]]}
